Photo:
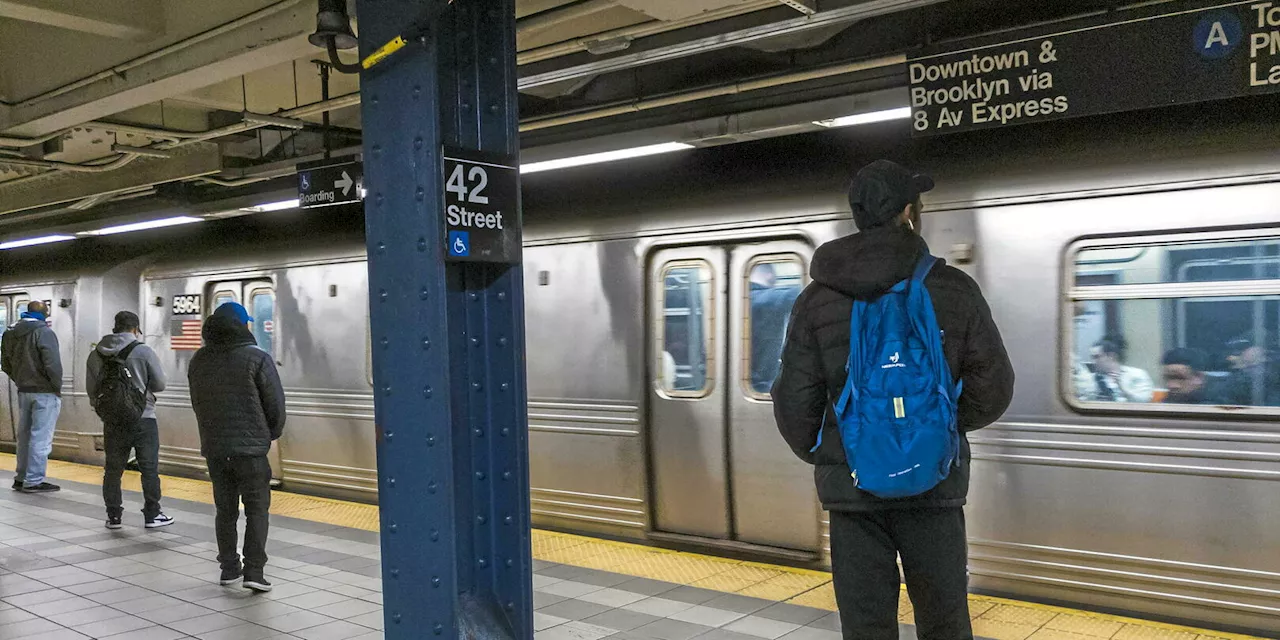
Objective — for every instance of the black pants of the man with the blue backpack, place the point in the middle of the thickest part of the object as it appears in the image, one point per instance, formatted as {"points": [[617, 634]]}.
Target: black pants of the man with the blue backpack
{"points": [[865, 550]]}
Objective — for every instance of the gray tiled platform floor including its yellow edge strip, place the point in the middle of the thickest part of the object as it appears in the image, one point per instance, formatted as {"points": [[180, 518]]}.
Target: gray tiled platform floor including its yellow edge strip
{"points": [[65, 577]]}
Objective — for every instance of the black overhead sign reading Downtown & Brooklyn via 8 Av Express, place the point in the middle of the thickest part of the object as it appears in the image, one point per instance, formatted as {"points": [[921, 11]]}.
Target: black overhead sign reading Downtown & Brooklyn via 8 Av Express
{"points": [[1156, 56]]}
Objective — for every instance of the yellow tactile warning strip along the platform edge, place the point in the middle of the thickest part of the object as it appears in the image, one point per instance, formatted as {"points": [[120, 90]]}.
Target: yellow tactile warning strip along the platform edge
{"points": [[993, 618]]}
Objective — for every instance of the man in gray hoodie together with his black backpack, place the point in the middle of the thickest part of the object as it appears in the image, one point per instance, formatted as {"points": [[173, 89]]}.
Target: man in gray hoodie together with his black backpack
{"points": [[124, 377]]}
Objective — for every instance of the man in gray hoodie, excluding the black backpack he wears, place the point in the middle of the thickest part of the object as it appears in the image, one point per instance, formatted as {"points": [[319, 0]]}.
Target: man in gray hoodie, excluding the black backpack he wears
{"points": [[144, 369]]}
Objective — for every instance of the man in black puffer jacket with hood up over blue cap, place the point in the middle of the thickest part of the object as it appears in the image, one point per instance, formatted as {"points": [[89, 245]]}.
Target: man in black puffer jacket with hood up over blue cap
{"points": [[240, 409]]}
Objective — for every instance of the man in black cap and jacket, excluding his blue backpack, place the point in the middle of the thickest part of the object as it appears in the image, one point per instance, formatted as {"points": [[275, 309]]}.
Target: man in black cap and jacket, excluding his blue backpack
{"points": [[868, 533]]}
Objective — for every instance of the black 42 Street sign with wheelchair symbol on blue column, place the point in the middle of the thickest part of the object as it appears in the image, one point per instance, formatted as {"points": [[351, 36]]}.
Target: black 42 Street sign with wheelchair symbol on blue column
{"points": [[482, 208]]}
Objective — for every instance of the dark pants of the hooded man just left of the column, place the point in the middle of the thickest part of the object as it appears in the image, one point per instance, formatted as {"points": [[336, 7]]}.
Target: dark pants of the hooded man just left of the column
{"points": [[249, 481]]}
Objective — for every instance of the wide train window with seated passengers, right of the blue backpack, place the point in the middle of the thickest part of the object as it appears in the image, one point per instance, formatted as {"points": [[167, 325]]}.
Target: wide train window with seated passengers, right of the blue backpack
{"points": [[1185, 321]]}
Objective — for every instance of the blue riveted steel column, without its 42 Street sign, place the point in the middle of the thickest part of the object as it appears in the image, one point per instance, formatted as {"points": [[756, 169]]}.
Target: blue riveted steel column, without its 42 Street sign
{"points": [[449, 339]]}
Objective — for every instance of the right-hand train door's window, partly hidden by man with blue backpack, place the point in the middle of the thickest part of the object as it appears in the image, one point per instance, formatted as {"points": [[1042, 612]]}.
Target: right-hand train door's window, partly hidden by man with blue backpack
{"points": [[772, 287]]}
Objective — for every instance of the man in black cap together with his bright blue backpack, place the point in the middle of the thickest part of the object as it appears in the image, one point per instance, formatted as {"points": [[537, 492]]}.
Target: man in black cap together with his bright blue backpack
{"points": [[890, 359]]}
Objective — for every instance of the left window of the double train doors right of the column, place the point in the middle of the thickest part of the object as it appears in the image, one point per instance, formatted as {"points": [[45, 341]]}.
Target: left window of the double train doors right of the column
{"points": [[688, 317]]}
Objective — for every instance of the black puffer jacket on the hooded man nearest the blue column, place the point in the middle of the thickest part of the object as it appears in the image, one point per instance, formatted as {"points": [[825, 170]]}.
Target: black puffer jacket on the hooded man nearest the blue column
{"points": [[236, 392]]}
